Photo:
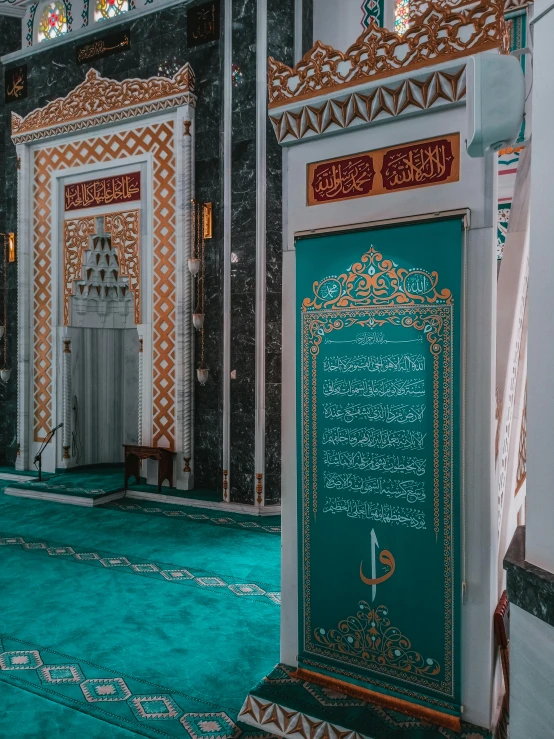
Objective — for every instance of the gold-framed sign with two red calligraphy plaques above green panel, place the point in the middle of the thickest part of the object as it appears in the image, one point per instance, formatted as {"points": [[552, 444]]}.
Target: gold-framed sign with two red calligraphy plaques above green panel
{"points": [[417, 164]]}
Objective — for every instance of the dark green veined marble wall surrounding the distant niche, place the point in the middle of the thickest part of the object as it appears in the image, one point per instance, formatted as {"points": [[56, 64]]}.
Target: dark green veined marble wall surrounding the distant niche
{"points": [[156, 39]]}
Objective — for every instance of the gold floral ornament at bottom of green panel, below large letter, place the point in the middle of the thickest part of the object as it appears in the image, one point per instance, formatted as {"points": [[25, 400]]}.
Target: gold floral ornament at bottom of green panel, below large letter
{"points": [[369, 636]]}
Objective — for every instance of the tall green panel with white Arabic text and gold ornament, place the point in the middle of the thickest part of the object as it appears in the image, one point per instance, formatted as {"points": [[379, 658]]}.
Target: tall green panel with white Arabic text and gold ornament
{"points": [[379, 457]]}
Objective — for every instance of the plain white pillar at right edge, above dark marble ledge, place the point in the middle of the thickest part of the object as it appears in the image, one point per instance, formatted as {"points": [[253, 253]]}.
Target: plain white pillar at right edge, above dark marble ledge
{"points": [[540, 400]]}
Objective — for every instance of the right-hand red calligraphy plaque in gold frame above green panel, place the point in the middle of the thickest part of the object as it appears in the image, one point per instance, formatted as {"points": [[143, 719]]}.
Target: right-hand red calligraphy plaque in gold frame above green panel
{"points": [[416, 165]]}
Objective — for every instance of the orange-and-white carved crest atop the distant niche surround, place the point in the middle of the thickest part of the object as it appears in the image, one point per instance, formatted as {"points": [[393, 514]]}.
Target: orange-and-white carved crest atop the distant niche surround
{"points": [[100, 100]]}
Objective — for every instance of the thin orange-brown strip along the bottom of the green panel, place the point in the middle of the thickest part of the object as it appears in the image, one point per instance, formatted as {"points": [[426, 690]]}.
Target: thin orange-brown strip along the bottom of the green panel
{"points": [[386, 701]]}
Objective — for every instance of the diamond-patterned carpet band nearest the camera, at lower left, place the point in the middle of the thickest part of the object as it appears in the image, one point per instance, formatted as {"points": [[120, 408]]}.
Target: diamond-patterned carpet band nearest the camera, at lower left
{"points": [[137, 705]]}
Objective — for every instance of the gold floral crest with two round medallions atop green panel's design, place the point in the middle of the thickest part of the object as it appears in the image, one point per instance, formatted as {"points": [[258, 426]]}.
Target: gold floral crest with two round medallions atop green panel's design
{"points": [[377, 281]]}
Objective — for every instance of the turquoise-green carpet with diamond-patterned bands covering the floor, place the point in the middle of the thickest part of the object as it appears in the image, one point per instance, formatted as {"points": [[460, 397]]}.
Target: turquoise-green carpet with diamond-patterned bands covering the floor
{"points": [[154, 624]]}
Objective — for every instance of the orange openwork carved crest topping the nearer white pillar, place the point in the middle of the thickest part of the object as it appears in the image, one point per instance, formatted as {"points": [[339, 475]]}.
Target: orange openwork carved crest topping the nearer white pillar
{"points": [[441, 33]]}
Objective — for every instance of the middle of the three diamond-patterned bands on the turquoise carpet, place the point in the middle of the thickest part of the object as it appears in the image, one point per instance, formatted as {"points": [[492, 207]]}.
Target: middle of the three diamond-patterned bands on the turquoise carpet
{"points": [[161, 571]]}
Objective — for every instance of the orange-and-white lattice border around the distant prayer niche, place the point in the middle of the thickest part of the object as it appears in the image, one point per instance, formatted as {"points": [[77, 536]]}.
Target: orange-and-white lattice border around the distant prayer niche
{"points": [[157, 139]]}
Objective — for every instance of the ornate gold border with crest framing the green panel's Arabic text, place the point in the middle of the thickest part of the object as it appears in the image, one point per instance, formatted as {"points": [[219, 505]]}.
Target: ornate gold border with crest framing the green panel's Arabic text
{"points": [[316, 322]]}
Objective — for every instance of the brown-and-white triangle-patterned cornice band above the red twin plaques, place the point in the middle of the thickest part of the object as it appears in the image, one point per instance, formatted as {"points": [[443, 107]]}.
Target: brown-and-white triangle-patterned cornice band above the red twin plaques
{"points": [[420, 92]]}
